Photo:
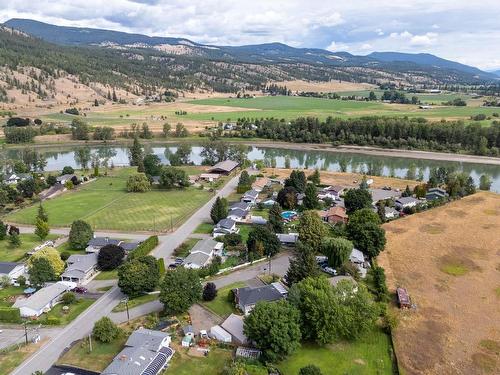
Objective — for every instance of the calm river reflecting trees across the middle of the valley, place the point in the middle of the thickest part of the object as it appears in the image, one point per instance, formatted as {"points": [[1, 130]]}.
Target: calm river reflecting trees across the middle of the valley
{"points": [[59, 157]]}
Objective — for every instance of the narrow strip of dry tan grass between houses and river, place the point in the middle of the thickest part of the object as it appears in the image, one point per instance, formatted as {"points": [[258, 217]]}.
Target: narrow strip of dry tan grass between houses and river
{"points": [[345, 179]]}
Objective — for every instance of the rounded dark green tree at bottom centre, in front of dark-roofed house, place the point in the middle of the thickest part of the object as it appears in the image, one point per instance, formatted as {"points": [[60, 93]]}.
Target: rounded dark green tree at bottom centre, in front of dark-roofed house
{"points": [[275, 329]]}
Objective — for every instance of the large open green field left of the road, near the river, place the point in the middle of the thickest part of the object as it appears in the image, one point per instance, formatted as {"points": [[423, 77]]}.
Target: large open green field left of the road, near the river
{"points": [[105, 204]]}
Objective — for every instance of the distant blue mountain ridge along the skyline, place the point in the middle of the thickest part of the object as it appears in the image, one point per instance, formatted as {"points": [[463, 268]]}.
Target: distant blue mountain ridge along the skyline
{"points": [[273, 52]]}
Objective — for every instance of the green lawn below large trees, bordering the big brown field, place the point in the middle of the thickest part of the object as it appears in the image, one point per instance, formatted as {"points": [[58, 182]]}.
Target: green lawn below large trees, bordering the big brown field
{"points": [[368, 355]]}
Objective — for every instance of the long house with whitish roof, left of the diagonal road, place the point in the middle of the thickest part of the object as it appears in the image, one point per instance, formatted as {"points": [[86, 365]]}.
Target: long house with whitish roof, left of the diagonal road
{"points": [[41, 301]]}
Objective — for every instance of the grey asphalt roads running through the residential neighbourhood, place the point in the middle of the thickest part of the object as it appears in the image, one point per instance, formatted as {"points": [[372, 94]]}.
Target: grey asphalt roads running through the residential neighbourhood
{"points": [[44, 358]]}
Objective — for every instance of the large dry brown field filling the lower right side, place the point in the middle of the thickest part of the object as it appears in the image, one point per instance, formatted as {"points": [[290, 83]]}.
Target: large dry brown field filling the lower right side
{"points": [[448, 258]]}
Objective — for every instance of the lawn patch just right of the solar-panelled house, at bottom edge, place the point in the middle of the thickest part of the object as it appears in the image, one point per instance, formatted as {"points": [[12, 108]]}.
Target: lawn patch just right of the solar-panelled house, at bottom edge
{"points": [[182, 364]]}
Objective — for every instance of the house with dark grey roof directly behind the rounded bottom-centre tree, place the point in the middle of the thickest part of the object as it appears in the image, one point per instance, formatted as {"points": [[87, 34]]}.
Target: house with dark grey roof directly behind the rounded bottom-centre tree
{"points": [[246, 298]]}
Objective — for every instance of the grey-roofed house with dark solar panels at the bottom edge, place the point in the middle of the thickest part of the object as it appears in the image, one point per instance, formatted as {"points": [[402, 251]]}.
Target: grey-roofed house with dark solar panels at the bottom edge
{"points": [[146, 352]]}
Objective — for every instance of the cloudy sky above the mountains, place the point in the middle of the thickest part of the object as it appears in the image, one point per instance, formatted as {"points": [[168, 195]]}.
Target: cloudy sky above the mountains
{"points": [[467, 31]]}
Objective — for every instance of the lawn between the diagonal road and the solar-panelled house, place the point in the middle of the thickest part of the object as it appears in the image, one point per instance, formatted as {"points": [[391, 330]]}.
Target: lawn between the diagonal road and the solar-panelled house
{"points": [[98, 359]]}
